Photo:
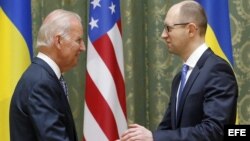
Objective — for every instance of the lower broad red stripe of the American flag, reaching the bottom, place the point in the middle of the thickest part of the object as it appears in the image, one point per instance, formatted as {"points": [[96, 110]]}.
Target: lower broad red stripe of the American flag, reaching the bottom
{"points": [[100, 109]]}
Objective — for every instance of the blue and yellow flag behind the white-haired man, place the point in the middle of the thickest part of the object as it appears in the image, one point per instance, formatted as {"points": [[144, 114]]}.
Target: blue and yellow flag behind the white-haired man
{"points": [[15, 53]]}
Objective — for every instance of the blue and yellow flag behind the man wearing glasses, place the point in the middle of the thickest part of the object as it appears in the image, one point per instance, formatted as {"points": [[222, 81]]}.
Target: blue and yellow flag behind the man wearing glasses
{"points": [[218, 35]]}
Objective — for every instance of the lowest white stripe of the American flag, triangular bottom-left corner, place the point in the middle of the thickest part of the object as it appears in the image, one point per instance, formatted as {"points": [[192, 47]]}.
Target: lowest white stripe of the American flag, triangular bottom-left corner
{"points": [[91, 130]]}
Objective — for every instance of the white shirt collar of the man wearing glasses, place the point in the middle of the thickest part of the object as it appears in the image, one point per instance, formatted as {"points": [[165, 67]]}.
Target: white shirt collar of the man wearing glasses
{"points": [[195, 56]]}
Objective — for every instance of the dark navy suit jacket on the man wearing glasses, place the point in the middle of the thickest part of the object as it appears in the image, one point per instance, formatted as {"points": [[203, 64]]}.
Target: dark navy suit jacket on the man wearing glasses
{"points": [[208, 102]]}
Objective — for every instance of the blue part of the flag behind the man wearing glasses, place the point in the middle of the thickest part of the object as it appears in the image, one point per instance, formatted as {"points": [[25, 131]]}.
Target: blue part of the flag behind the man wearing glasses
{"points": [[217, 12]]}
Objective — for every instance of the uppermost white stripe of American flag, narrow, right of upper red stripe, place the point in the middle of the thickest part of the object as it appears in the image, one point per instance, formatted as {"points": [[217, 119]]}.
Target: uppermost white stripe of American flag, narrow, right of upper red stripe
{"points": [[116, 39]]}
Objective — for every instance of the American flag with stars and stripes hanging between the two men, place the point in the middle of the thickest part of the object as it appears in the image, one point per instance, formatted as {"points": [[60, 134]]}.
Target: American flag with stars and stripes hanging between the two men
{"points": [[105, 100]]}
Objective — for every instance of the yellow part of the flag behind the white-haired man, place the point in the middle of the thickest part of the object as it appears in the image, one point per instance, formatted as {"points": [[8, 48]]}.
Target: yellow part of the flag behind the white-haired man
{"points": [[14, 59]]}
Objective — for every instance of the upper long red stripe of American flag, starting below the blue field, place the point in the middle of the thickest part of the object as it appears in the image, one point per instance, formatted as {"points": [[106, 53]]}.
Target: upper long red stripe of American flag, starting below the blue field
{"points": [[105, 49]]}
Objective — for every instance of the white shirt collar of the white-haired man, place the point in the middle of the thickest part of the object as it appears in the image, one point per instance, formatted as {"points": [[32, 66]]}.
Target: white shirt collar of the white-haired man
{"points": [[51, 63]]}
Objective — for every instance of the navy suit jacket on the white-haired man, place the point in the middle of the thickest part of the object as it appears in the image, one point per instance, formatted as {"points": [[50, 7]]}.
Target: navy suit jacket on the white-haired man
{"points": [[39, 109]]}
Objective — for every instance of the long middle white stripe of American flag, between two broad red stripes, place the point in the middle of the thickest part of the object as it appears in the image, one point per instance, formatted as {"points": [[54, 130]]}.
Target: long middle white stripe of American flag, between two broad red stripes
{"points": [[103, 79]]}
